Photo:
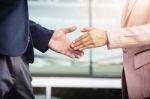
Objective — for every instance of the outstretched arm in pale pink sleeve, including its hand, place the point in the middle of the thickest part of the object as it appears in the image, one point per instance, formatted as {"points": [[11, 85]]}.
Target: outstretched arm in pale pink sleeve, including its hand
{"points": [[122, 38]]}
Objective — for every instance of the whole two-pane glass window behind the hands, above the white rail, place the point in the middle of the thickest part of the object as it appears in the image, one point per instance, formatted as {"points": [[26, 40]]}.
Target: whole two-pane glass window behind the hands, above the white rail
{"points": [[55, 14]]}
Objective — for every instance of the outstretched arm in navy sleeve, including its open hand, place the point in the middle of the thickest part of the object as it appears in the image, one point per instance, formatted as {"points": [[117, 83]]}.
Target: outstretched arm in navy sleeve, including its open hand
{"points": [[57, 41]]}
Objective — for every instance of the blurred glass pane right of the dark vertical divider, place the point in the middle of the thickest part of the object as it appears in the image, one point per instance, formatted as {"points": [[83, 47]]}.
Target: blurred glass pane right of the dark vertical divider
{"points": [[106, 15]]}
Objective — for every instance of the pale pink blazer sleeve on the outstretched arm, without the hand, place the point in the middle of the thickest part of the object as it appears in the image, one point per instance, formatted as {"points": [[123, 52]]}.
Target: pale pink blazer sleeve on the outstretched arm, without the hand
{"points": [[129, 37]]}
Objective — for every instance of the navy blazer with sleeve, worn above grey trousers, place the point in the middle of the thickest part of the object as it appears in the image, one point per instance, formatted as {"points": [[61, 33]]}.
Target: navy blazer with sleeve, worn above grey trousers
{"points": [[18, 35]]}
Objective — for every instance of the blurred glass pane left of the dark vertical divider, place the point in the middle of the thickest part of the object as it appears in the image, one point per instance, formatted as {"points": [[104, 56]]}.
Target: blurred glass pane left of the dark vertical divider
{"points": [[55, 16]]}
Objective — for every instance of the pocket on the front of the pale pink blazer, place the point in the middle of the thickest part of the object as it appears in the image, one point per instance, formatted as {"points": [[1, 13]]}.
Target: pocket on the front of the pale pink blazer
{"points": [[142, 58]]}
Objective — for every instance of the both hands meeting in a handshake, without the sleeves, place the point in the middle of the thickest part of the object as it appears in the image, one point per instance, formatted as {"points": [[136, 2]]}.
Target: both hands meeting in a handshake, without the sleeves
{"points": [[91, 38]]}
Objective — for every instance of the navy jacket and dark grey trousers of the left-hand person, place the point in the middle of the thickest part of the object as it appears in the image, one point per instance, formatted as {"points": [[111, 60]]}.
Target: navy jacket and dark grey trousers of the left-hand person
{"points": [[18, 37]]}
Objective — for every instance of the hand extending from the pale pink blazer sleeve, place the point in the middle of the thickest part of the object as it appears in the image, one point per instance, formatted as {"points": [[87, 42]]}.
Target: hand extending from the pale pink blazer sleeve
{"points": [[91, 39]]}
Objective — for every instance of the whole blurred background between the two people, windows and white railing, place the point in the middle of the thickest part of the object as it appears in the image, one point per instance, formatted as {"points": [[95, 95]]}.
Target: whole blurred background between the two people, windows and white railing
{"points": [[97, 75]]}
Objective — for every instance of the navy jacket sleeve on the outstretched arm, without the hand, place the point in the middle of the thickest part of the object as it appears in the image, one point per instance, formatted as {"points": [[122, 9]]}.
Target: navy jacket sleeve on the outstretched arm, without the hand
{"points": [[40, 36]]}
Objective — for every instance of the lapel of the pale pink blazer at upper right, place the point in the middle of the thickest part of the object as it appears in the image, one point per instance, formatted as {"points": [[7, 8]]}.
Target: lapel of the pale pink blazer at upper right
{"points": [[129, 7]]}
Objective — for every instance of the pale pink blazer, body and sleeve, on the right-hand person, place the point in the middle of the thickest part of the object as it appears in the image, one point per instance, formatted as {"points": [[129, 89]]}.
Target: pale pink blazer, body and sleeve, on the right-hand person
{"points": [[134, 38]]}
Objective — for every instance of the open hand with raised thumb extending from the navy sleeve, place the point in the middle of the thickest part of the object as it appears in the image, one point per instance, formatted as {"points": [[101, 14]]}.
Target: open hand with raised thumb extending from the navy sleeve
{"points": [[61, 44]]}
